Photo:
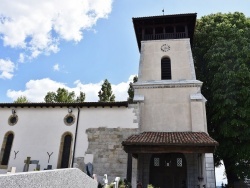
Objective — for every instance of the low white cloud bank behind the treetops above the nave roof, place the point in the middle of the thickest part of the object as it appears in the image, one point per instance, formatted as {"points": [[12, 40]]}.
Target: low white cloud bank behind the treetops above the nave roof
{"points": [[36, 90]]}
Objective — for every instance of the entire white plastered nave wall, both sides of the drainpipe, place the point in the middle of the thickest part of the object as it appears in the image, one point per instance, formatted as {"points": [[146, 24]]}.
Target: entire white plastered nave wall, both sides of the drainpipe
{"points": [[39, 130]]}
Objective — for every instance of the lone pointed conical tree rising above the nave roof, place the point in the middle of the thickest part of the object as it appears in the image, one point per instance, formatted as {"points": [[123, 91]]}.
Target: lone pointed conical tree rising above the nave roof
{"points": [[106, 94]]}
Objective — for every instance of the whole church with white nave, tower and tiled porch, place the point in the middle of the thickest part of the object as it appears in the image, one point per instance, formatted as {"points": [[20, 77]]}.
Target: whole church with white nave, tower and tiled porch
{"points": [[160, 138]]}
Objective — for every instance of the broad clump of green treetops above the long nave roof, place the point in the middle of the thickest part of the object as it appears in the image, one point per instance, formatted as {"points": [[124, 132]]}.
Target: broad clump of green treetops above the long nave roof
{"points": [[63, 95]]}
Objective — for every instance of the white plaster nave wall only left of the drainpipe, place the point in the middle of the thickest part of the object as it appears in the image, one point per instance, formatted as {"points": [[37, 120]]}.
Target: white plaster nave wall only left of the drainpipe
{"points": [[37, 132]]}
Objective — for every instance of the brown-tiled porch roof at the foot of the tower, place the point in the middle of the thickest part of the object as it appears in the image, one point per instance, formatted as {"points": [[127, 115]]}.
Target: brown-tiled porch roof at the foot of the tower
{"points": [[163, 142]]}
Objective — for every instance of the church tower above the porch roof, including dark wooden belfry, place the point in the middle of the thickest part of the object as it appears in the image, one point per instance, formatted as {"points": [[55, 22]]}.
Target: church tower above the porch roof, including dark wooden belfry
{"points": [[167, 88]]}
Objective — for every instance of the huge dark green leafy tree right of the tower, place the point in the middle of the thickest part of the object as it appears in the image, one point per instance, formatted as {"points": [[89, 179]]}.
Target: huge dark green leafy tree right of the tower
{"points": [[221, 52]]}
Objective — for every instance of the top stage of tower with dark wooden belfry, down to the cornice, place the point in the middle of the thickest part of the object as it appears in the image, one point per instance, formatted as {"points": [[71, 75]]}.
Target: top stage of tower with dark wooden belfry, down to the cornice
{"points": [[165, 46]]}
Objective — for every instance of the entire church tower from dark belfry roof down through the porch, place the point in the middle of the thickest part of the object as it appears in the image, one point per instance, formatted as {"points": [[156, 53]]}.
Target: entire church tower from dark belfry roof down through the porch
{"points": [[173, 148]]}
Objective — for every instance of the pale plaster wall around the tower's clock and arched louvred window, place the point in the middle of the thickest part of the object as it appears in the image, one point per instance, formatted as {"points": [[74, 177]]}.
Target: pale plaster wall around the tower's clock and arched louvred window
{"points": [[180, 54]]}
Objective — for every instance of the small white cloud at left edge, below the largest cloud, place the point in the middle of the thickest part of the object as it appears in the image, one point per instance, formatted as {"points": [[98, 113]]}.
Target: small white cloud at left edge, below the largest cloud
{"points": [[6, 69]]}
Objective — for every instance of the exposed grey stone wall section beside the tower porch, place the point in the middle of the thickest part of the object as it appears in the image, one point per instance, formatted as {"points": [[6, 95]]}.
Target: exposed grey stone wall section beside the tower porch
{"points": [[109, 156]]}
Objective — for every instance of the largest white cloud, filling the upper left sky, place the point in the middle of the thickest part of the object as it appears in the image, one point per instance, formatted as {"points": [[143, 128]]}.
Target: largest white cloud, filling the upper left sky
{"points": [[38, 26]]}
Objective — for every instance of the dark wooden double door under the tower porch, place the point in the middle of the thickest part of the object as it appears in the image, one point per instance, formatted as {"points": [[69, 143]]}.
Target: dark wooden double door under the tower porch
{"points": [[168, 170]]}
